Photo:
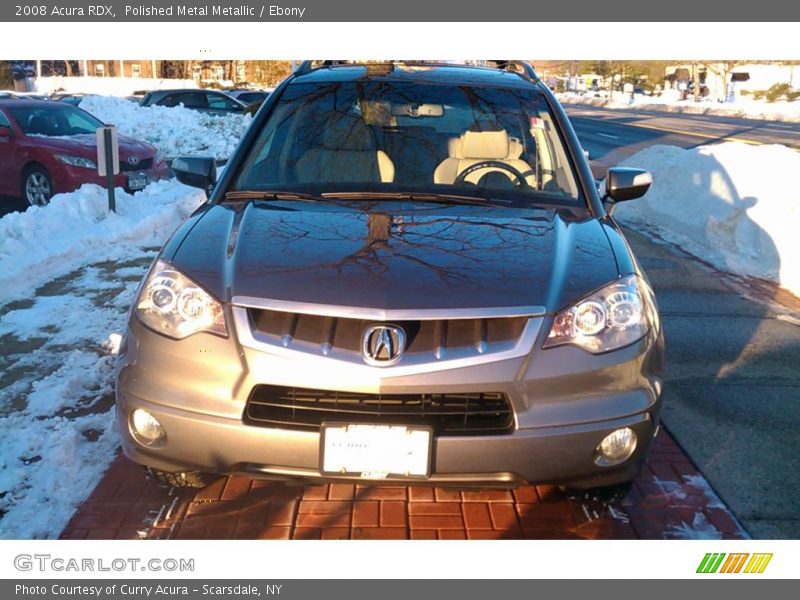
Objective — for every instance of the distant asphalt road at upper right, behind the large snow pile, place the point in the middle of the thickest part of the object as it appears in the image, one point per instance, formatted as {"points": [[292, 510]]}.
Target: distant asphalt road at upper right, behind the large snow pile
{"points": [[612, 135]]}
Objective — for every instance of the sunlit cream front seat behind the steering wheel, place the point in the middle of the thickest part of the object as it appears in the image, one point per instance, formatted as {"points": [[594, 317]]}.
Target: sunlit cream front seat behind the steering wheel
{"points": [[478, 146]]}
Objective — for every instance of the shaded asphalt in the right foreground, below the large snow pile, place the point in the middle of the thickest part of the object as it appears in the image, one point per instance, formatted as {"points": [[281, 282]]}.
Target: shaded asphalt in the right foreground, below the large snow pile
{"points": [[732, 390]]}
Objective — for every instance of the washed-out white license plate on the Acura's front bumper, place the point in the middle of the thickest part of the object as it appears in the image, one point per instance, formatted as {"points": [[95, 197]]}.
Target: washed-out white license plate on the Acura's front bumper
{"points": [[376, 451]]}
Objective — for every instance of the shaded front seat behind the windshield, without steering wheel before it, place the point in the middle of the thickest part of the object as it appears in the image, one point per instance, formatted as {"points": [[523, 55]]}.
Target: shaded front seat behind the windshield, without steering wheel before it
{"points": [[348, 154]]}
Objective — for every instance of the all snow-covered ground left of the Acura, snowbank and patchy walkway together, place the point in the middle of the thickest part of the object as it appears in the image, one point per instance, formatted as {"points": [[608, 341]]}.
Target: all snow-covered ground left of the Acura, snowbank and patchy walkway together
{"points": [[69, 272]]}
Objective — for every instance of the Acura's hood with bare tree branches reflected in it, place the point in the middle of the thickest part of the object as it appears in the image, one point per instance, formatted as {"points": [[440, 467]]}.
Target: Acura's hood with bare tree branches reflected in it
{"points": [[396, 256]]}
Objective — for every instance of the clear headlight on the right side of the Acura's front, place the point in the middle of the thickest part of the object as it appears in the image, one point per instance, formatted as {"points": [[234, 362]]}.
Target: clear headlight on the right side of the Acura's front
{"points": [[615, 316]]}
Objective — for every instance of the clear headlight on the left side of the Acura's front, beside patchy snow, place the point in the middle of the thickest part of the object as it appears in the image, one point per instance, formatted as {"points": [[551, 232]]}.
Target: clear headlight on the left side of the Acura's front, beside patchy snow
{"points": [[172, 304]]}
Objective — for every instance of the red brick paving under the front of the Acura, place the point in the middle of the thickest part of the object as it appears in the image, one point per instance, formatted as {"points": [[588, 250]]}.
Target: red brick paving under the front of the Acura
{"points": [[669, 500]]}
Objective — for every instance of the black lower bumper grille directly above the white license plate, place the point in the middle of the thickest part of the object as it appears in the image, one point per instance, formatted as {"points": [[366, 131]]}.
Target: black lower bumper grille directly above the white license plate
{"points": [[451, 414]]}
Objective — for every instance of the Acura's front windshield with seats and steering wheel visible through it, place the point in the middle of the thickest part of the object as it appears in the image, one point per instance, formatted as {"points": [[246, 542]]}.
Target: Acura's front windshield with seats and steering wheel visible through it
{"points": [[405, 137]]}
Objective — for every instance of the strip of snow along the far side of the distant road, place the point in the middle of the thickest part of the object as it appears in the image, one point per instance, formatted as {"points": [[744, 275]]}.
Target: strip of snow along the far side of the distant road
{"points": [[743, 107]]}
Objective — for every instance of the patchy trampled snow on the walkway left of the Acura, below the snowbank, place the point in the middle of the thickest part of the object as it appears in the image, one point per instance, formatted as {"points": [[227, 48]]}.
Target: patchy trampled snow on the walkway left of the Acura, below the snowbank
{"points": [[57, 416]]}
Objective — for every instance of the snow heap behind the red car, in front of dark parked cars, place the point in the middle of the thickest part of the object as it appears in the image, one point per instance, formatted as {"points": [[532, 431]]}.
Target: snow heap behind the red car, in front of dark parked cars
{"points": [[176, 131]]}
